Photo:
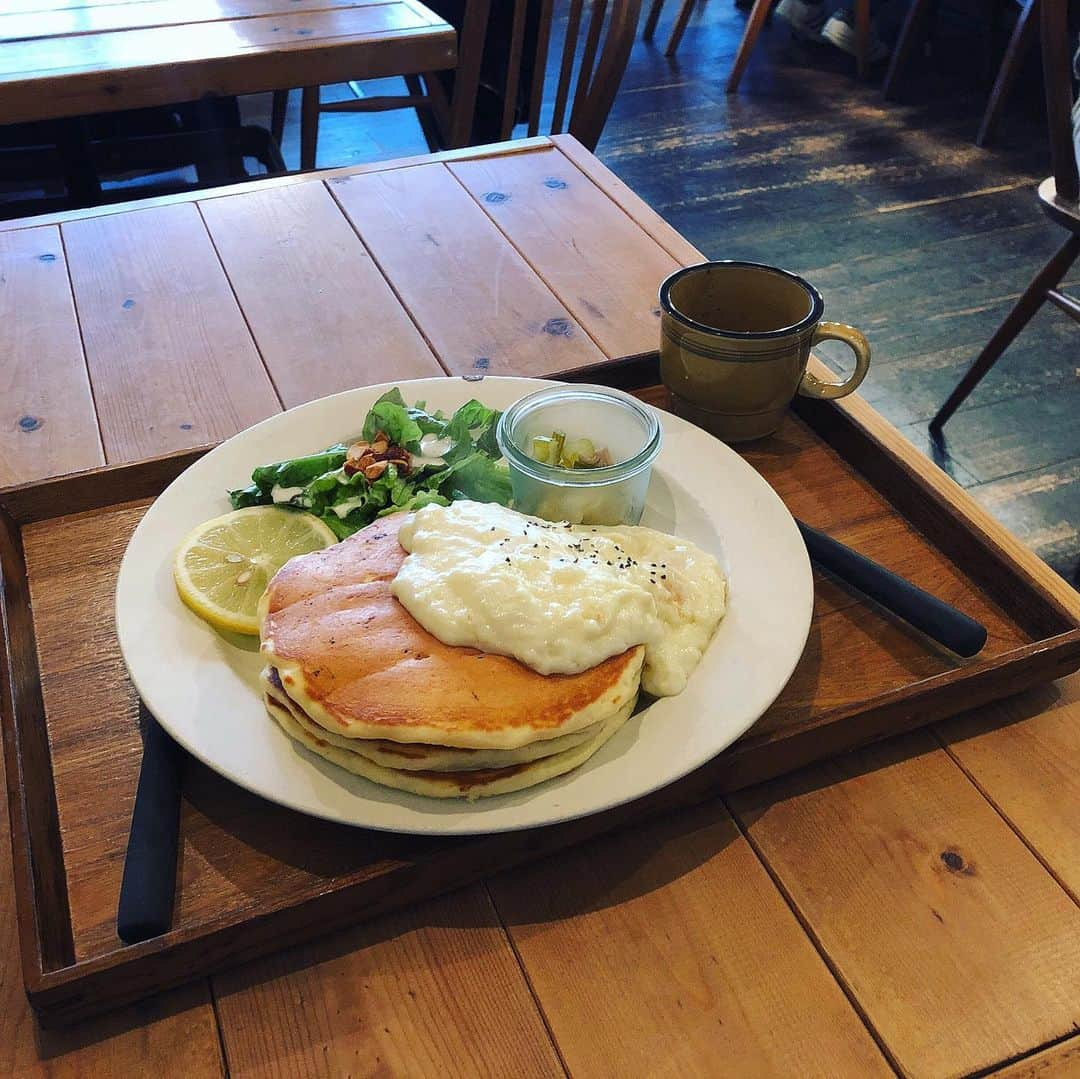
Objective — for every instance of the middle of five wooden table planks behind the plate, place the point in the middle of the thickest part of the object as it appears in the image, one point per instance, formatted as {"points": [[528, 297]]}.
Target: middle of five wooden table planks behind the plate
{"points": [[321, 313]]}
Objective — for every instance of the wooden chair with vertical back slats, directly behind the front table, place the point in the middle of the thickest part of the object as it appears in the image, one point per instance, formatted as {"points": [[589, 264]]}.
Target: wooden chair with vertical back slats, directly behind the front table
{"points": [[588, 69]]}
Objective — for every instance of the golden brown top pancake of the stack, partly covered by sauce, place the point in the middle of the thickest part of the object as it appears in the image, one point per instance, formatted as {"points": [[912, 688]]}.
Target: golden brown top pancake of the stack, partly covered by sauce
{"points": [[360, 666]]}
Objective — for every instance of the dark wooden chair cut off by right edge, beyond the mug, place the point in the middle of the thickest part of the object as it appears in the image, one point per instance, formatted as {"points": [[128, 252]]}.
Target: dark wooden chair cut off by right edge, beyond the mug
{"points": [[1060, 198]]}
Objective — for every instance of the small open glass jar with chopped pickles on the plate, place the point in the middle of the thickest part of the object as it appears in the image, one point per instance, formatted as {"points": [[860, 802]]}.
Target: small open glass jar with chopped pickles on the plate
{"points": [[611, 495]]}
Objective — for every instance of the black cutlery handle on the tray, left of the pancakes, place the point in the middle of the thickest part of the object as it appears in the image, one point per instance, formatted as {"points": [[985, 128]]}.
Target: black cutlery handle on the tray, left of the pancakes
{"points": [[150, 881]]}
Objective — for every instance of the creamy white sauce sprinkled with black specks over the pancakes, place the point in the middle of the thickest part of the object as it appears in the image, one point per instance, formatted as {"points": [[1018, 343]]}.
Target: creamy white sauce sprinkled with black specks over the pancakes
{"points": [[560, 599]]}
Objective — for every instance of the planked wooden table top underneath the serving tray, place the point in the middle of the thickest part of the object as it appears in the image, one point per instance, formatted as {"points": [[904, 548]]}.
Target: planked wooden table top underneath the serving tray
{"points": [[910, 909]]}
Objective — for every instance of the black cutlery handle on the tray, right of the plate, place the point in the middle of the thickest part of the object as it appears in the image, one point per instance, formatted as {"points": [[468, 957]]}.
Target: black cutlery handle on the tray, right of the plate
{"points": [[946, 625]]}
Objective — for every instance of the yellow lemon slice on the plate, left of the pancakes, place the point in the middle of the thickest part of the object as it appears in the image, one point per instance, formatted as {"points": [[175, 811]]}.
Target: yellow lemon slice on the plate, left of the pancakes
{"points": [[224, 567]]}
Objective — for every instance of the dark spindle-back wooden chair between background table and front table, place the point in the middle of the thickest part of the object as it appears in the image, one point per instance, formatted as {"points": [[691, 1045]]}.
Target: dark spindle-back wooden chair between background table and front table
{"points": [[499, 83]]}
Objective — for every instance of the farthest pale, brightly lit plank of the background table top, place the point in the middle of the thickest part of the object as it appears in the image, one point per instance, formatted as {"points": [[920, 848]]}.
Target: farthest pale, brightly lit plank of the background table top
{"points": [[56, 22]]}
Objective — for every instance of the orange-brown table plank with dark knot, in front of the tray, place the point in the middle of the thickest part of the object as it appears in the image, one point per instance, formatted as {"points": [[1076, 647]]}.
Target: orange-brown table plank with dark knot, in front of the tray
{"points": [[960, 948]]}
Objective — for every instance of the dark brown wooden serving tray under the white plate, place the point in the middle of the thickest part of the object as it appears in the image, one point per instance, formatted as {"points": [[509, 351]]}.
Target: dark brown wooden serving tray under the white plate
{"points": [[254, 878]]}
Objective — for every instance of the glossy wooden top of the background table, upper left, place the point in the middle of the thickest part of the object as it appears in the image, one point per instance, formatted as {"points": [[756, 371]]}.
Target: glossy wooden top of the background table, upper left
{"points": [[67, 58]]}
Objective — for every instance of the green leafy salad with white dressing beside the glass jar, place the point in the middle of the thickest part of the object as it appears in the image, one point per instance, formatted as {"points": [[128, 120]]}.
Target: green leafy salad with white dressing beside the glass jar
{"points": [[469, 466]]}
